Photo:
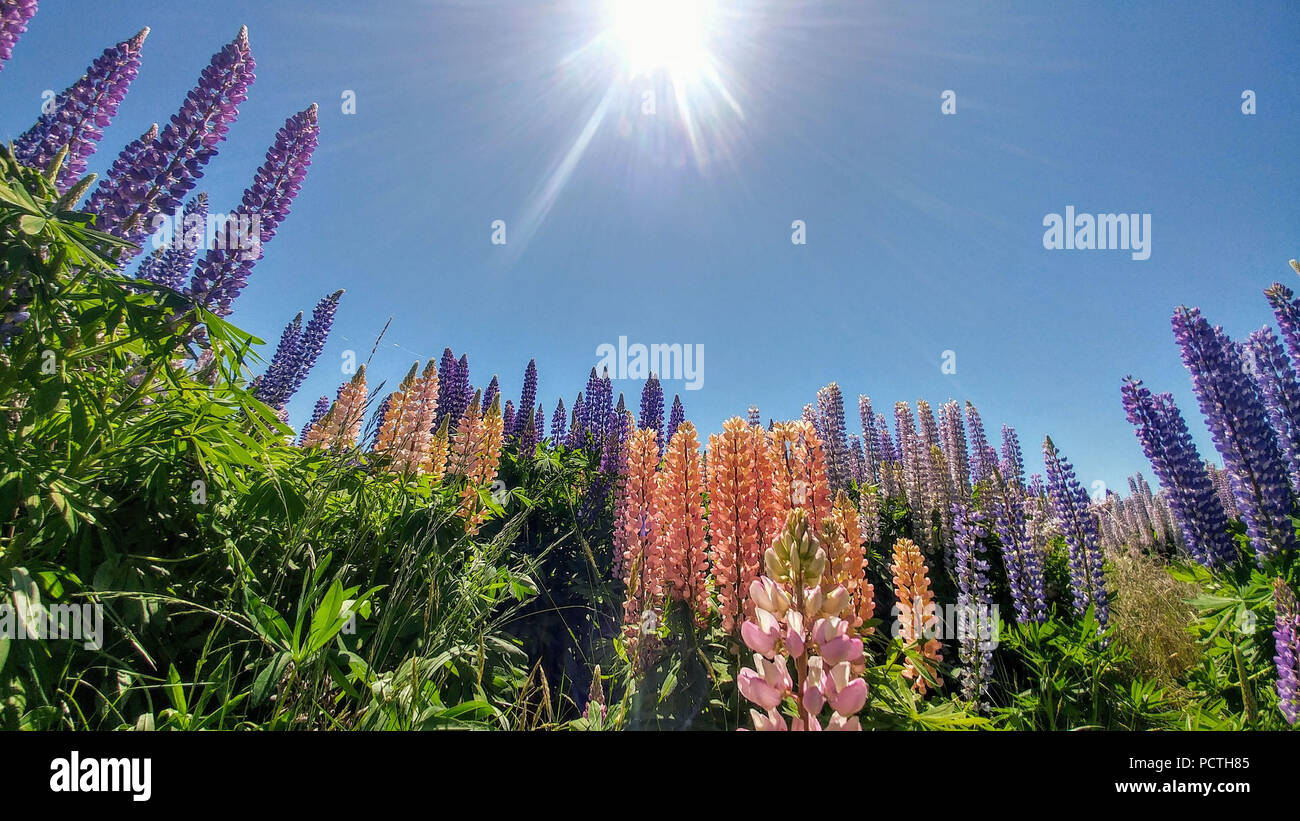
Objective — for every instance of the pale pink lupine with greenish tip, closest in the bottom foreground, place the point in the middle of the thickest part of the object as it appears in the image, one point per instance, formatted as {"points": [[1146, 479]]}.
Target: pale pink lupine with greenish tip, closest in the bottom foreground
{"points": [[795, 622]]}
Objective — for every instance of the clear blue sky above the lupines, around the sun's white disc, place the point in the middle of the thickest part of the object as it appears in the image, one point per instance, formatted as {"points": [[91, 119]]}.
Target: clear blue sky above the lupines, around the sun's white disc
{"points": [[925, 232]]}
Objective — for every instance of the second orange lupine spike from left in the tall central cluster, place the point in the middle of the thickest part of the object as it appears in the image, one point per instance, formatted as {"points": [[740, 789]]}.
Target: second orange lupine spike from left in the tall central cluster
{"points": [[682, 518]]}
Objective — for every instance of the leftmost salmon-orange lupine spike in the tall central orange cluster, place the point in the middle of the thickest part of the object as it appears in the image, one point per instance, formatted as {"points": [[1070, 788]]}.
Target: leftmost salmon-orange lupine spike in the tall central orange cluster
{"points": [[636, 535]]}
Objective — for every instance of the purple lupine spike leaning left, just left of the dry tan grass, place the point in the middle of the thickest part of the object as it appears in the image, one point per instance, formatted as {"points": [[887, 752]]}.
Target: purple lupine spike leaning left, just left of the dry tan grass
{"points": [[1080, 527]]}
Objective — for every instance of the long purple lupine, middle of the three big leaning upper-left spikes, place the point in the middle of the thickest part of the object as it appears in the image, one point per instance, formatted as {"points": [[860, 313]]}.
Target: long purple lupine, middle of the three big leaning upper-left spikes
{"points": [[158, 179]]}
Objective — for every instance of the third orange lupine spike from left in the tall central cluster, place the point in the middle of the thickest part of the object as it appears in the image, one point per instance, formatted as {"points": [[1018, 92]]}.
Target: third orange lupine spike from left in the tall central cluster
{"points": [[733, 519]]}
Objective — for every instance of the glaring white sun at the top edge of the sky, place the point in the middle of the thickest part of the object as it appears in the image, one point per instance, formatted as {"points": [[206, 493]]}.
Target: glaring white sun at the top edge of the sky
{"points": [[662, 34]]}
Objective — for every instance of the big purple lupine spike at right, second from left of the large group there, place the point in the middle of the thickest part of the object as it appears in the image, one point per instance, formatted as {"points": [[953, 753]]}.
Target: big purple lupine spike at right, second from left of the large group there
{"points": [[1238, 422]]}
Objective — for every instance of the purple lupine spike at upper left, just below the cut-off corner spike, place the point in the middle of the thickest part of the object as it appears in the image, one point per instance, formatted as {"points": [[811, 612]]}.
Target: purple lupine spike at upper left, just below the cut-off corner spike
{"points": [[79, 115]]}
